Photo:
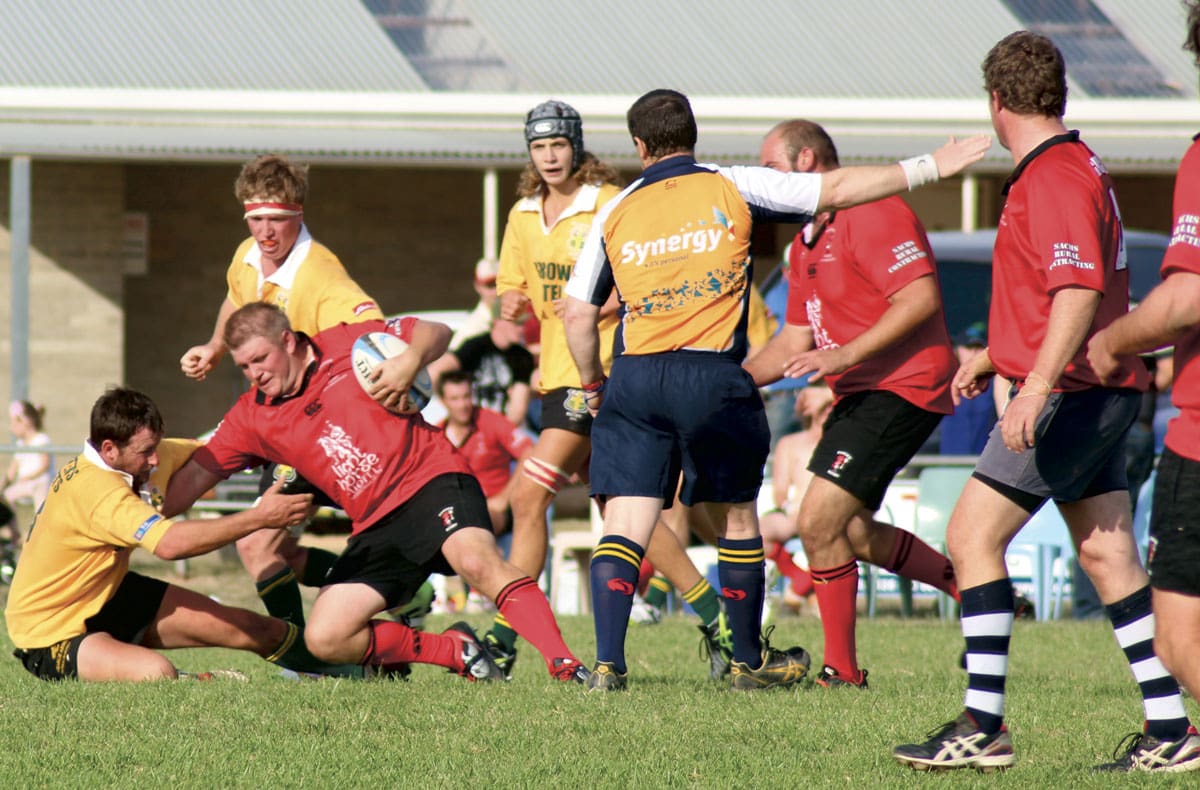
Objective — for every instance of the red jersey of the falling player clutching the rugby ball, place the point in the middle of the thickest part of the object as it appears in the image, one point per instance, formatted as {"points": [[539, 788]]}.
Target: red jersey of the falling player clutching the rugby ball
{"points": [[369, 460]]}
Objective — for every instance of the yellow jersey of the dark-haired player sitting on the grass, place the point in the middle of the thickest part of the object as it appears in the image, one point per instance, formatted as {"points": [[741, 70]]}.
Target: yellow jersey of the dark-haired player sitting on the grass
{"points": [[79, 549]]}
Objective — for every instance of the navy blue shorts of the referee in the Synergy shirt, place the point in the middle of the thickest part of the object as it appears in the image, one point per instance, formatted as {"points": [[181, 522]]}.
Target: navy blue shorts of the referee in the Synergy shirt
{"points": [[691, 412]]}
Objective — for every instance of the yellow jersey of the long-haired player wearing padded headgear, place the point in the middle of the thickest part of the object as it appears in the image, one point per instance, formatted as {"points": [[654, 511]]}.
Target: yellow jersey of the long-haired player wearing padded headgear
{"points": [[538, 262]]}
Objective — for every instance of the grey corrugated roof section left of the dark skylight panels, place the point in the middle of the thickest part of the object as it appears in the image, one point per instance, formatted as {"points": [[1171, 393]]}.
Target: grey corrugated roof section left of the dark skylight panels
{"points": [[194, 45]]}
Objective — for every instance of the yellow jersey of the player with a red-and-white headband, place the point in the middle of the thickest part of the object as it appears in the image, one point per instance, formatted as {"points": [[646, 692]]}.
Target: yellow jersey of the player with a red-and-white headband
{"points": [[313, 286]]}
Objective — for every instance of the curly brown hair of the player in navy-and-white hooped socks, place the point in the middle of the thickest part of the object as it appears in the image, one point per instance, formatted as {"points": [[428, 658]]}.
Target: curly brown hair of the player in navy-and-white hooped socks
{"points": [[1028, 74]]}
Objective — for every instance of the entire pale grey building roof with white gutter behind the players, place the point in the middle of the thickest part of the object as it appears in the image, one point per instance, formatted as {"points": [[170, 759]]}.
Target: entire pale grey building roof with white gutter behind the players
{"points": [[351, 81]]}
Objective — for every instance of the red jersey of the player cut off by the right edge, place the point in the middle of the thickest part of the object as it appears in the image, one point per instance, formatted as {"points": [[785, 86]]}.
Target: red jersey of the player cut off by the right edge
{"points": [[1184, 256]]}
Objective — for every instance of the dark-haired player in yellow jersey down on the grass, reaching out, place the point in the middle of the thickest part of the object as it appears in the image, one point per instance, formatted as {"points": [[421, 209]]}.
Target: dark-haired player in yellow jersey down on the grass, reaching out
{"points": [[76, 611]]}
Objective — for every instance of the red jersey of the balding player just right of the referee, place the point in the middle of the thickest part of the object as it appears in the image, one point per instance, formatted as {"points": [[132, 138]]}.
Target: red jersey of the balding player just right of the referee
{"points": [[839, 285]]}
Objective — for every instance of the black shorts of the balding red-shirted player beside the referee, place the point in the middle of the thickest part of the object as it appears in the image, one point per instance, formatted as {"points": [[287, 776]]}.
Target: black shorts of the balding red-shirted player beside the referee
{"points": [[867, 440]]}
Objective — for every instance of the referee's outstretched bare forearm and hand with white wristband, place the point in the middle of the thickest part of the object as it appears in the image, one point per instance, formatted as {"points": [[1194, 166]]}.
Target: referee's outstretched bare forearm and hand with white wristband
{"points": [[849, 187]]}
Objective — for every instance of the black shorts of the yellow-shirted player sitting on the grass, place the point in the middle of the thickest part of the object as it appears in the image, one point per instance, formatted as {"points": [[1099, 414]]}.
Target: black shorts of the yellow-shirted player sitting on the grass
{"points": [[125, 618]]}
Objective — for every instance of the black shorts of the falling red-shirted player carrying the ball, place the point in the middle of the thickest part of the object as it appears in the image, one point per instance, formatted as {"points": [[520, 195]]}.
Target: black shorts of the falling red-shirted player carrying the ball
{"points": [[398, 553]]}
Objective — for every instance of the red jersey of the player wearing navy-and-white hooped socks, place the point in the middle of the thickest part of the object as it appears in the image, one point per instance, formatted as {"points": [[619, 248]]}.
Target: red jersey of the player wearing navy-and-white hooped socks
{"points": [[1060, 228]]}
